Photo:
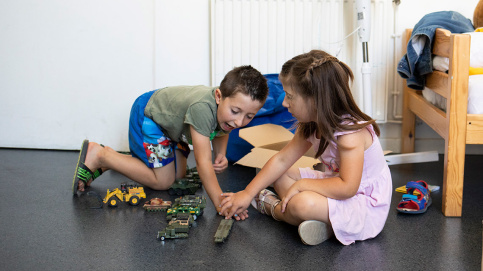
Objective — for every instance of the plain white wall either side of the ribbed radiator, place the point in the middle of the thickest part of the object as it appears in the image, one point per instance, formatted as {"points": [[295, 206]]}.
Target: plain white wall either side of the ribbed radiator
{"points": [[70, 70]]}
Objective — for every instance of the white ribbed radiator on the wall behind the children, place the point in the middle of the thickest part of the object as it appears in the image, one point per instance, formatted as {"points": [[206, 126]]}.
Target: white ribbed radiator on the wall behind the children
{"points": [[266, 33]]}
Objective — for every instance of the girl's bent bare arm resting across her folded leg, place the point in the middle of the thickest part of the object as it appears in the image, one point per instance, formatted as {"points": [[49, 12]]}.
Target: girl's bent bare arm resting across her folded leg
{"points": [[351, 149]]}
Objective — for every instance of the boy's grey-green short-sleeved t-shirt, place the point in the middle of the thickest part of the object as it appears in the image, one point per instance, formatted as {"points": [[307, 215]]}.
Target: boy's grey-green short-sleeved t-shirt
{"points": [[176, 108]]}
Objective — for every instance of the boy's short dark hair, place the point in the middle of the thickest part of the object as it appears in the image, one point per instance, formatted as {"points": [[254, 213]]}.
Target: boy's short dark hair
{"points": [[247, 80]]}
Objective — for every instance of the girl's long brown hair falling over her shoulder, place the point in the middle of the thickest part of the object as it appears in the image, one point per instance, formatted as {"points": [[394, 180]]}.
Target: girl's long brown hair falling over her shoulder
{"points": [[325, 80]]}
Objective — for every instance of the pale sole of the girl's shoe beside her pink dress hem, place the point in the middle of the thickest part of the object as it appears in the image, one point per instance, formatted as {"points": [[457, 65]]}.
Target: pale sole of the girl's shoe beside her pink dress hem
{"points": [[314, 232]]}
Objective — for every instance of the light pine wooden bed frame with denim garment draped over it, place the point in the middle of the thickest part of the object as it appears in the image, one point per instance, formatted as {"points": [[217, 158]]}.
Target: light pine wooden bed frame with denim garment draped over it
{"points": [[455, 126]]}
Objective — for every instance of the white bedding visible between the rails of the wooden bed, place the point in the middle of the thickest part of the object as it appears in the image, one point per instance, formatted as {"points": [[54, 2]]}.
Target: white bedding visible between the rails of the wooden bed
{"points": [[475, 83]]}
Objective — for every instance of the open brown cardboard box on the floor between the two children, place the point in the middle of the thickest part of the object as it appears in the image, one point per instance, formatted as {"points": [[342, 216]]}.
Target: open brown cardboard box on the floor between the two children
{"points": [[267, 140]]}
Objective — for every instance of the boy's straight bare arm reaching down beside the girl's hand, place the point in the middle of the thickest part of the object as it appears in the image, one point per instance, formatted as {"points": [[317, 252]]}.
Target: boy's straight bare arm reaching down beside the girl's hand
{"points": [[202, 151]]}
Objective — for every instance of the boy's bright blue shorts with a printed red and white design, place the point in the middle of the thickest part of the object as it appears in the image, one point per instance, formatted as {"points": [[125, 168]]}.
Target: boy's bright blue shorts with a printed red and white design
{"points": [[147, 141]]}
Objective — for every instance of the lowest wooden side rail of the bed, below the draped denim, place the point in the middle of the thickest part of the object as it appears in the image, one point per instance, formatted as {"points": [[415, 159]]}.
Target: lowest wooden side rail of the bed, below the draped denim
{"points": [[430, 114]]}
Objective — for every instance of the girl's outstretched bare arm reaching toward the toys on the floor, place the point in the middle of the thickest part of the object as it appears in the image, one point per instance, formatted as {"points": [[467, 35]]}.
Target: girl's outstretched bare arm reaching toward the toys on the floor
{"points": [[235, 203]]}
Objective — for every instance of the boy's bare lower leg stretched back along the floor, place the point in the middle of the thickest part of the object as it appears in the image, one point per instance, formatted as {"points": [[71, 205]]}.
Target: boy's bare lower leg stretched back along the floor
{"points": [[131, 167]]}
